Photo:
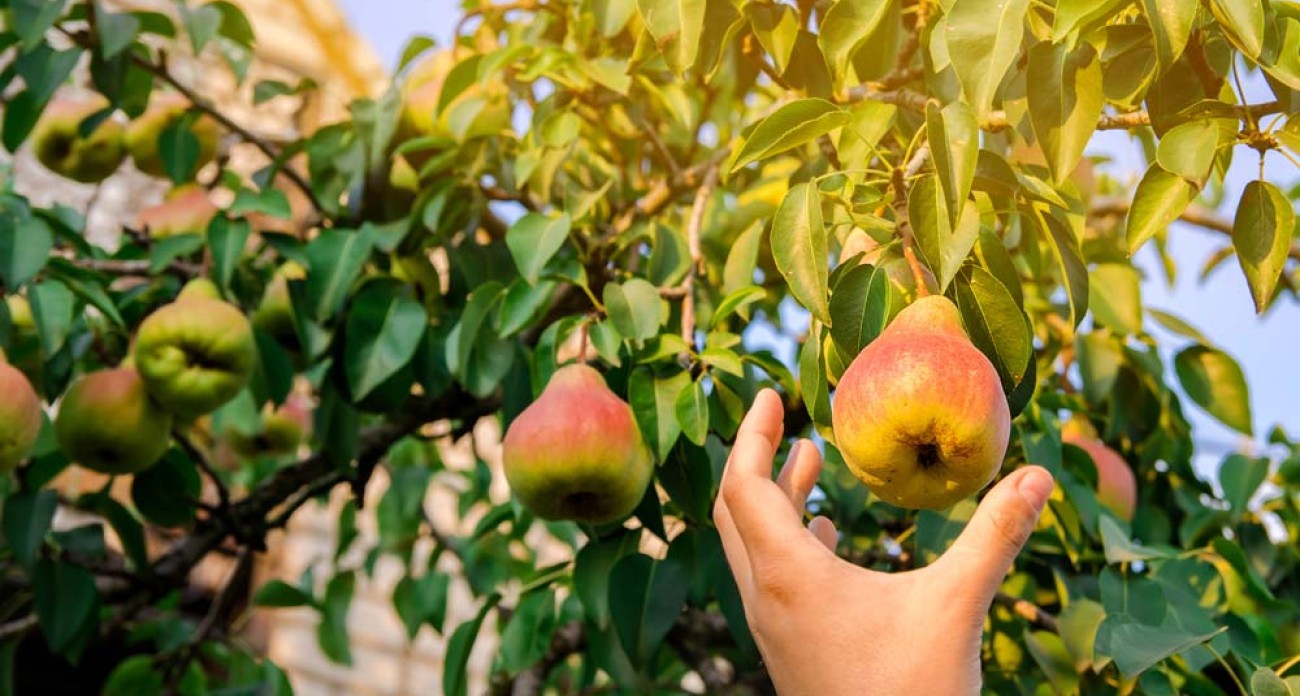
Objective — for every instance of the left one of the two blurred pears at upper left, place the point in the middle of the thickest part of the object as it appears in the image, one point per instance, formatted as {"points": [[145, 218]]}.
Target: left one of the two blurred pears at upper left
{"points": [[60, 146]]}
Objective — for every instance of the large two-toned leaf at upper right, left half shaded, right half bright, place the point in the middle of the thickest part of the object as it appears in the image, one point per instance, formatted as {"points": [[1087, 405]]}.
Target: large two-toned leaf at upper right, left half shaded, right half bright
{"points": [[1065, 100]]}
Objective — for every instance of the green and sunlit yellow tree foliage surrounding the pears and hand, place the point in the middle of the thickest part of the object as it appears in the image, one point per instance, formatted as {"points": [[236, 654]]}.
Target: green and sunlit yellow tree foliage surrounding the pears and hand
{"points": [[668, 183]]}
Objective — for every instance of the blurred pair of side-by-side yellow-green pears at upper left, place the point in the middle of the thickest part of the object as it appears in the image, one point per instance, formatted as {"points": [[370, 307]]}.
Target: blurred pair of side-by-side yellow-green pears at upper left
{"points": [[79, 139]]}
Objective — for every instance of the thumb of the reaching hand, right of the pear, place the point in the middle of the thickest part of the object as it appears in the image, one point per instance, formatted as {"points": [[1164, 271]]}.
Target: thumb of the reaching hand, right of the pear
{"points": [[985, 552]]}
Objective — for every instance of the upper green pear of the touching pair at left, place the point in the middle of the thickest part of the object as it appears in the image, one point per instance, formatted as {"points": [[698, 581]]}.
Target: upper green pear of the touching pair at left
{"points": [[196, 355]]}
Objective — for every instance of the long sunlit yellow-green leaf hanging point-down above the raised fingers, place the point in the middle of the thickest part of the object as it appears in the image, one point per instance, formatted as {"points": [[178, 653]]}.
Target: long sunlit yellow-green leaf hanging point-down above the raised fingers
{"points": [[800, 249]]}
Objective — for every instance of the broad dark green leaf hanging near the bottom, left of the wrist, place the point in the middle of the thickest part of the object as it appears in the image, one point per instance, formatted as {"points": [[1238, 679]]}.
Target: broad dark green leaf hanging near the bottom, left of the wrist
{"points": [[645, 599]]}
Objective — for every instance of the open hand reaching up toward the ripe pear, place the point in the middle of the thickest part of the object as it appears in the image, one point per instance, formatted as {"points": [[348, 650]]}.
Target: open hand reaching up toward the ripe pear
{"points": [[826, 626]]}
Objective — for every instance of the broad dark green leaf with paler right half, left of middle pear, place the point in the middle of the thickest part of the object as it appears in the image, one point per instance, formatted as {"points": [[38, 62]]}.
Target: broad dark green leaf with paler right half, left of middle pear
{"points": [[384, 328]]}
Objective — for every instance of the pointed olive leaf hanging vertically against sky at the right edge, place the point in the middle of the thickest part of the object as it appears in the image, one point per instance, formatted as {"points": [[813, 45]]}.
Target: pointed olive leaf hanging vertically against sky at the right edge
{"points": [[1262, 236]]}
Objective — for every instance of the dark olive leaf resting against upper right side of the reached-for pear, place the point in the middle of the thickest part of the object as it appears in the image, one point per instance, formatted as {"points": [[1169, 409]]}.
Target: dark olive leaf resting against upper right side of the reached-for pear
{"points": [[995, 325]]}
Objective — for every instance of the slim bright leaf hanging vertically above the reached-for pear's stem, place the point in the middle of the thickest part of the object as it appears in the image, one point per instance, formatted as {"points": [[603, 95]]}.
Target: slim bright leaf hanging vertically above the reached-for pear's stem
{"points": [[955, 146]]}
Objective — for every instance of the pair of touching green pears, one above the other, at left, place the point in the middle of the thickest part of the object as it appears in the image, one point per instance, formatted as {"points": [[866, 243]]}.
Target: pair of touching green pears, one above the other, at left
{"points": [[189, 358]]}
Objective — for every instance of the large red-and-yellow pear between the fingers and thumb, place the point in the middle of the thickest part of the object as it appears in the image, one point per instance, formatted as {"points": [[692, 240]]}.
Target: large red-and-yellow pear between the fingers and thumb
{"points": [[920, 416]]}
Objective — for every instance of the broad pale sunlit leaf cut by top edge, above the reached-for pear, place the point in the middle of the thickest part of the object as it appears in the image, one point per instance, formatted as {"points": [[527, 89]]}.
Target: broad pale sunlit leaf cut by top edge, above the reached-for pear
{"points": [[983, 41]]}
